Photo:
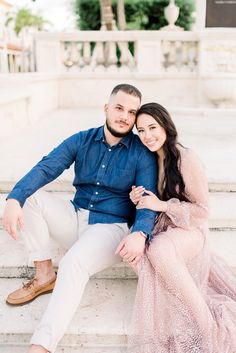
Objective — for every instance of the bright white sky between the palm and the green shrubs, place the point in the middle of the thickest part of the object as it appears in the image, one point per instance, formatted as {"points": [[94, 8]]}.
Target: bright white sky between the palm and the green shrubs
{"points": [[59, 12]]}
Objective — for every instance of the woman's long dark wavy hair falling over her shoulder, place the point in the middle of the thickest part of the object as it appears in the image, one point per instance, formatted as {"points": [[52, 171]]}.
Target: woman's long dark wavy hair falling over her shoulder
{"points": [[174, 186]]}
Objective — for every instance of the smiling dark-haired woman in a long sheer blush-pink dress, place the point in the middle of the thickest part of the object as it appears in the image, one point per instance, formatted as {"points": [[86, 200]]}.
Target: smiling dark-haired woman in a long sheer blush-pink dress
{"points": [[186, 297]]}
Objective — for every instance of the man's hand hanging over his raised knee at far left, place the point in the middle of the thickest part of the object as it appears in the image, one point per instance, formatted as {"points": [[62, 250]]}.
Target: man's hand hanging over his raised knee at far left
{"points": [[13, 216]]}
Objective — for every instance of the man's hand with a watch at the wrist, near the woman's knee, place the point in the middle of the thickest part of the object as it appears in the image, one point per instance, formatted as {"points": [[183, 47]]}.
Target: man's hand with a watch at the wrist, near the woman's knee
{"points": [[132, 247]]}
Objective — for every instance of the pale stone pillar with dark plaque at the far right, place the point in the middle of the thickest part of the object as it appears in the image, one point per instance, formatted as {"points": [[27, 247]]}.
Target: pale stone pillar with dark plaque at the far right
{"points": [[217, 68]]}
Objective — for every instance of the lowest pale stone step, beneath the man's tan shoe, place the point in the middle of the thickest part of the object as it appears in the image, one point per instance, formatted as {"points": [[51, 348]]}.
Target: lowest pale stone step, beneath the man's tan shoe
{"points": [[99, 325]]}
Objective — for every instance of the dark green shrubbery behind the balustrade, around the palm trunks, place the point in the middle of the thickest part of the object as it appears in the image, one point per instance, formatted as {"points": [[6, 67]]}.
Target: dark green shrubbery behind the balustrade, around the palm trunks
{"points": [[140, 14]]}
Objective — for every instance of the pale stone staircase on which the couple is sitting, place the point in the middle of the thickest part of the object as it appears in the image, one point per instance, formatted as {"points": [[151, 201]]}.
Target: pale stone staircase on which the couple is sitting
{"points": [[100, 324]]}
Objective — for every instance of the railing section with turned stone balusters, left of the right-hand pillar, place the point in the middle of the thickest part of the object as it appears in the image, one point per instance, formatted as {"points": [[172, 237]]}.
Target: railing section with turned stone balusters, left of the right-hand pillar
{"points": [[117, 51]]}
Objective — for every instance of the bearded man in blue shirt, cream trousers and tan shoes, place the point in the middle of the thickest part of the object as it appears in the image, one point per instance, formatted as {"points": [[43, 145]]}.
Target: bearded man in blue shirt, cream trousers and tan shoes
{"points": [[94, 226]]}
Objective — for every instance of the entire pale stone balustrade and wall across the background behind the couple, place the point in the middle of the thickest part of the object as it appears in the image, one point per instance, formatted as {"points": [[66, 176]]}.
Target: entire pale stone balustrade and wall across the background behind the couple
{"points": [[179, 68]]}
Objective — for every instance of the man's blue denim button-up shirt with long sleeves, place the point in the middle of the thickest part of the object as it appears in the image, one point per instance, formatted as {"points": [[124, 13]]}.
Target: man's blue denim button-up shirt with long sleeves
{"points": [[103, 177]]}
